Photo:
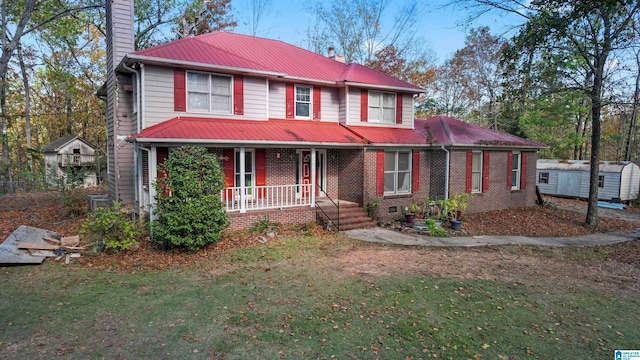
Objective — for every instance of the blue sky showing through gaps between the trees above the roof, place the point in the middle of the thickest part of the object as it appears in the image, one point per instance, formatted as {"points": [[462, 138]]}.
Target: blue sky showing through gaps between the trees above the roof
{"points": [[439, 25]]}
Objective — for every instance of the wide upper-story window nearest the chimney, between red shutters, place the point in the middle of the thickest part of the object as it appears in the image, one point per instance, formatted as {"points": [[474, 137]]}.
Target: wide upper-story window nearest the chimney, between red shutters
{"points": [[208, 93]]}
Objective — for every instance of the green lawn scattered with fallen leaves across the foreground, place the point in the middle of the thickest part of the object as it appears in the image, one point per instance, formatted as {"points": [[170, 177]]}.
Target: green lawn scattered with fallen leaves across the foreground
{"points": [[290, 300]]}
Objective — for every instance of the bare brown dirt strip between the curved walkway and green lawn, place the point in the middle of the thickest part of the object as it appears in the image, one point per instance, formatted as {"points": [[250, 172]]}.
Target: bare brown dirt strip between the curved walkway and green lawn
{"points": [[506, 264]]}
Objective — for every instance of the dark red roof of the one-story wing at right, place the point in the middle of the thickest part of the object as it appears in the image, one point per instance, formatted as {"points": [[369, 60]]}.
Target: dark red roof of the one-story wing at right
{"points": [[446, 130]]}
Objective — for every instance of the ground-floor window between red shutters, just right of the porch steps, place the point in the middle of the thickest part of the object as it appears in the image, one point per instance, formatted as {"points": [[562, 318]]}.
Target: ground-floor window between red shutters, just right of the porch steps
{"points": [[397, 172]]}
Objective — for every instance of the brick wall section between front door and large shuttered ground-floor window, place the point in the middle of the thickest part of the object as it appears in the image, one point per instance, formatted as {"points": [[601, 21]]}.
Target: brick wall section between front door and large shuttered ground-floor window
{"points": [[350, 165]]}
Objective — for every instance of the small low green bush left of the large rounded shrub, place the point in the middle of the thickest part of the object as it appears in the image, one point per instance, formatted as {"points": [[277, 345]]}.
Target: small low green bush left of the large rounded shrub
{"points": [[112, 229]]}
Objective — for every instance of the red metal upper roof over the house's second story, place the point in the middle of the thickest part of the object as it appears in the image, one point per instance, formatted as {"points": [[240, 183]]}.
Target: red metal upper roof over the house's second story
{"points": [[249, 53]]}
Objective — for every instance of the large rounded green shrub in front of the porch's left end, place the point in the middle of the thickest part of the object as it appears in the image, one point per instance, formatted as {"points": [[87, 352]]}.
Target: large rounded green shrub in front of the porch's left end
{"points": [[189, 210]]}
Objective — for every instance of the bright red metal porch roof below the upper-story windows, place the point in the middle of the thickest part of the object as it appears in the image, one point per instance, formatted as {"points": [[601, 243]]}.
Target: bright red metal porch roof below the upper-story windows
{"points": [[184, 129]]}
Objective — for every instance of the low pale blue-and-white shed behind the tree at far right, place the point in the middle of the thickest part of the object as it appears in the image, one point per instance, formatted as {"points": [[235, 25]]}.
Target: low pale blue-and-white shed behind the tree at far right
{"points": [[617, 180]]}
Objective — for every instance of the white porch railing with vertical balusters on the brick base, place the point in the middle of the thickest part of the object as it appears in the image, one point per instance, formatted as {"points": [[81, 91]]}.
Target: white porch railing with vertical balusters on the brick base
{"points": [[266, 197]]}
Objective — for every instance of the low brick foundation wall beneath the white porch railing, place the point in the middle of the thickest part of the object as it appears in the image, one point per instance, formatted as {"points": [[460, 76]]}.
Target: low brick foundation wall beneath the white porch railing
{"points": [[298, 215]]}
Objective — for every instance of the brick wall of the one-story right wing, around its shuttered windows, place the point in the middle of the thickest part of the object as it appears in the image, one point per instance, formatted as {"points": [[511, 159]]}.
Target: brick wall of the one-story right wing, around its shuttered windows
{"points": [[499, 196]]}
